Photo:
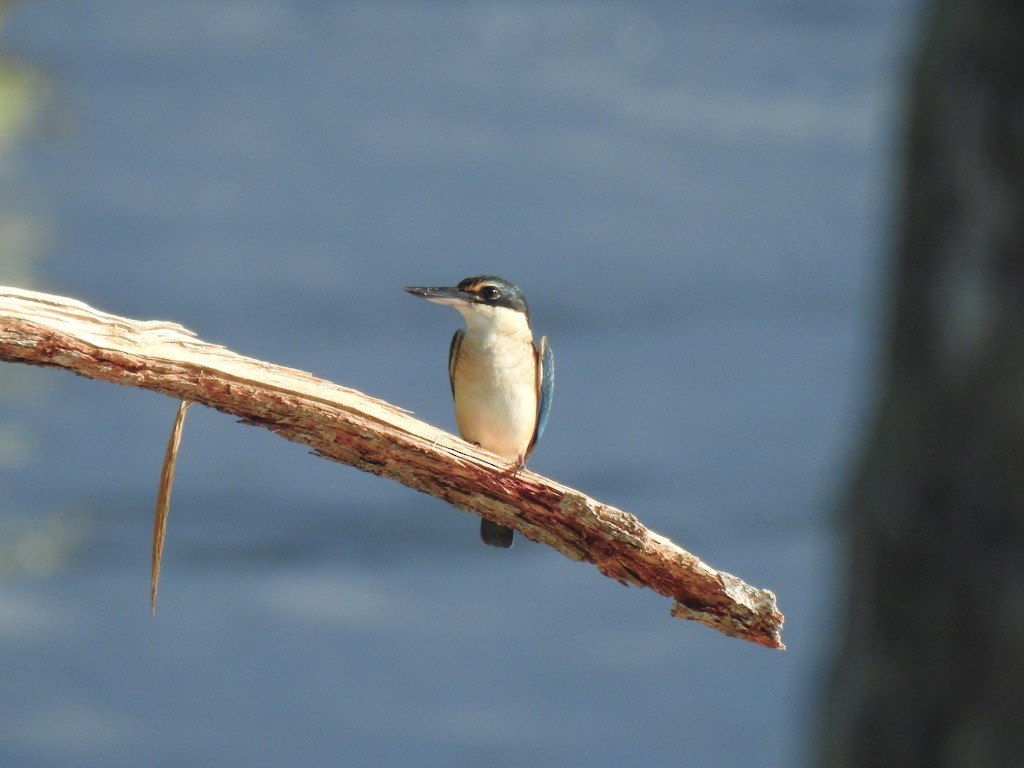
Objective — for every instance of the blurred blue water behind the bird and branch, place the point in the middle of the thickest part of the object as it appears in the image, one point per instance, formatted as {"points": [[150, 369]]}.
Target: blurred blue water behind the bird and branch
{"points": [[695, 198]]}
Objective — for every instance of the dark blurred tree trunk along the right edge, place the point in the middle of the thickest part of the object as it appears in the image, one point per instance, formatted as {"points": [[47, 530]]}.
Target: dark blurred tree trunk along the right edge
{"points": [[930, 669]]}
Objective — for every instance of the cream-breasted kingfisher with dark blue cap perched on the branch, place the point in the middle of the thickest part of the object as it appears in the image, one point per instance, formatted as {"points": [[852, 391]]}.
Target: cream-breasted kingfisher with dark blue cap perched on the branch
{"points": [[501, 382]]}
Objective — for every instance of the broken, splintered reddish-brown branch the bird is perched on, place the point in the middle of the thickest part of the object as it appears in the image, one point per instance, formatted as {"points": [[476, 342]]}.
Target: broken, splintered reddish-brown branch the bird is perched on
{"points": [[375, 437]]}
